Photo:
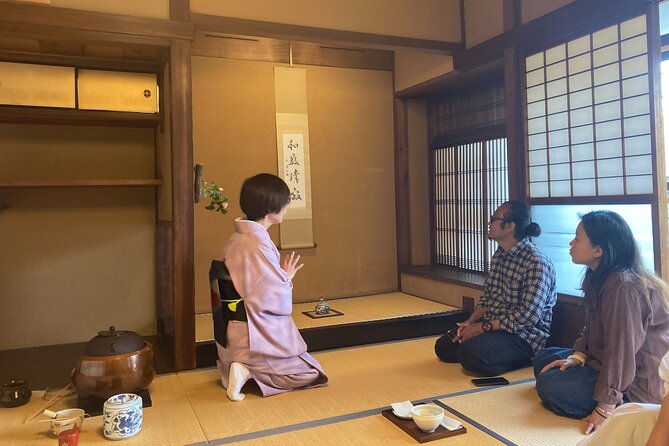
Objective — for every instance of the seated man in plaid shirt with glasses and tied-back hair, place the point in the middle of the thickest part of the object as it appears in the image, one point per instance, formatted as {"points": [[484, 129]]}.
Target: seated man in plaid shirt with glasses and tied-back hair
{"points": [[513, 318]]}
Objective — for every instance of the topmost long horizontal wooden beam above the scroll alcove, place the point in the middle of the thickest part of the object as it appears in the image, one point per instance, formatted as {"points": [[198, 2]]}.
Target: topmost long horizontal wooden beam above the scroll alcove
{"points": [[228, 25]]}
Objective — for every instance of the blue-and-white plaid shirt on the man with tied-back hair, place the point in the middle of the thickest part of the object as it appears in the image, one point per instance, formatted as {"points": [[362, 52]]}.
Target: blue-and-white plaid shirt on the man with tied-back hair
{"points": [[520, 292]]}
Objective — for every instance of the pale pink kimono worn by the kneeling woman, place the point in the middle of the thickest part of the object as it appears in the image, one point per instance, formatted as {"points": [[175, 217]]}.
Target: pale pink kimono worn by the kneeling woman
{"points": [[268, 344]]}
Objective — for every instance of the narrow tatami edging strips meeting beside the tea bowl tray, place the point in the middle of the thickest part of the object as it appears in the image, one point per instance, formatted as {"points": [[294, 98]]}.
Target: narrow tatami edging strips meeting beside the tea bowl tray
{"points": [[367, 413]]}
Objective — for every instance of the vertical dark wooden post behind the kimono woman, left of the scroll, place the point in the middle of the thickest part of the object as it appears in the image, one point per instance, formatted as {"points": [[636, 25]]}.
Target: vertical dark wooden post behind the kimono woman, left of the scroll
{"points": [[182, 205]]}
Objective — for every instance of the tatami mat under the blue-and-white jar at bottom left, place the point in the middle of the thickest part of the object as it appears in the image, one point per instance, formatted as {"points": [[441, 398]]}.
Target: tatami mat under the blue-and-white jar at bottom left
{"points": [[170, 421]]}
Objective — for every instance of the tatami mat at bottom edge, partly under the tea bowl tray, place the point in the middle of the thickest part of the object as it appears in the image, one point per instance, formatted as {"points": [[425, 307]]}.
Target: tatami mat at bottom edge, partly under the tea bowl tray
{"points": [[370, 431]]}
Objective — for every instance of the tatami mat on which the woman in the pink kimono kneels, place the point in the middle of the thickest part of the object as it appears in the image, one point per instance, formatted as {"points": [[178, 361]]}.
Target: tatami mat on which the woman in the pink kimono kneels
{"points": [[361, 379]]}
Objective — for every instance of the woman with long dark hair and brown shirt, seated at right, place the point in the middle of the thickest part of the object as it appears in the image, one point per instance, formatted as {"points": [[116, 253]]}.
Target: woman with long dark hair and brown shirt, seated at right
{"points": [[626, 330]]}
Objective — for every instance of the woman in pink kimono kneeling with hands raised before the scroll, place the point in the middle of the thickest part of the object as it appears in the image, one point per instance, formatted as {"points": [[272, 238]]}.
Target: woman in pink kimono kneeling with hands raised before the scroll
{"points": [[267, 346]]}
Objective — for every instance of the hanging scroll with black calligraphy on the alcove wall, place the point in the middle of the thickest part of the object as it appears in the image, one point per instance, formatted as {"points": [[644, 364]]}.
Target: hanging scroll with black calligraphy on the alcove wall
{"points": [[292, 142]]}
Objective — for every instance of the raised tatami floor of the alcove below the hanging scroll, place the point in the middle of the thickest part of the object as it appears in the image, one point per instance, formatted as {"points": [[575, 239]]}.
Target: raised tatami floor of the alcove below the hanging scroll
{"points": [[355, 309]]}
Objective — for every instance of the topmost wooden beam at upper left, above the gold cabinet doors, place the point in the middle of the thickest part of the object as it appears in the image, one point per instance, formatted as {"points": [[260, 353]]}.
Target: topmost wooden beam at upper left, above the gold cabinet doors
{"points": [[48, 16]]}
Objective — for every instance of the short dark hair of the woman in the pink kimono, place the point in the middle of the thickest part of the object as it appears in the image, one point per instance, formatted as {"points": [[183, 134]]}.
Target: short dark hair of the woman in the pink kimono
{"points": [[263, 194]]}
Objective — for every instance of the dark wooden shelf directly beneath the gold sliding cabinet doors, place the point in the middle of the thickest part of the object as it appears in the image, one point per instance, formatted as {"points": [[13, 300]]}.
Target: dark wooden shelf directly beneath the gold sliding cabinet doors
{"points": [[17, 114]]}
